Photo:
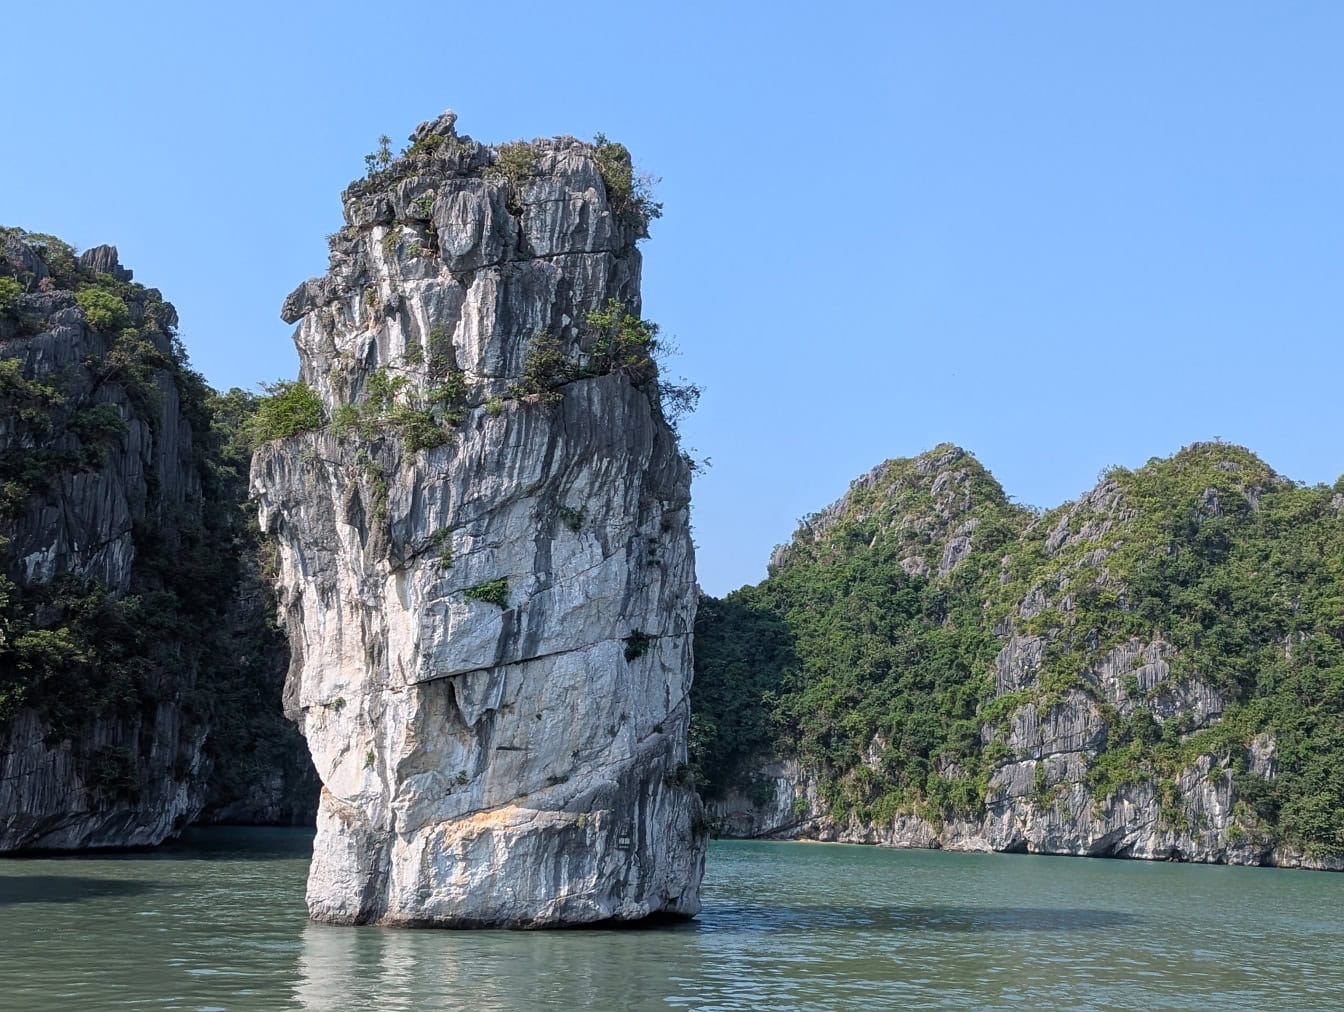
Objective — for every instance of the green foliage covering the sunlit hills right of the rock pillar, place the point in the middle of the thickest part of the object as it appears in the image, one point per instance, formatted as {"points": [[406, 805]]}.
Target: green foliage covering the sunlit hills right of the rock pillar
{"points": [[872, 658]]}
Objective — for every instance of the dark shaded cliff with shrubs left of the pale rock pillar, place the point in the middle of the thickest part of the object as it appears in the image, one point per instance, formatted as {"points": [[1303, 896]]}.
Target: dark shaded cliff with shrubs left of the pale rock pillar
{"points": [[140, 673]]}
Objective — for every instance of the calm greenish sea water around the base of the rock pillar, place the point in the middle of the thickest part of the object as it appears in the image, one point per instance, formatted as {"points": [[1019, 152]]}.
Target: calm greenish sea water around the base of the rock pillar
{"points": [[218, 924]]}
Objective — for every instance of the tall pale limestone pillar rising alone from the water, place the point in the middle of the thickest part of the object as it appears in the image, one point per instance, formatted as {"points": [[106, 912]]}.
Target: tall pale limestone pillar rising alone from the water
{"points": [[486, 569]]}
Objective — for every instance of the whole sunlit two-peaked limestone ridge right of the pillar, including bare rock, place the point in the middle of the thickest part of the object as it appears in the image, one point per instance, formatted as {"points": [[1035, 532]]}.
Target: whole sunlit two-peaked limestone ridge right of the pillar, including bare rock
{"points": [[1155, 670]]}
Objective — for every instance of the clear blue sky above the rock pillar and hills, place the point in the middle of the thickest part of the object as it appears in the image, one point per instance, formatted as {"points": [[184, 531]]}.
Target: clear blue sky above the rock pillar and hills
{"points": [[1061, 236]]}
